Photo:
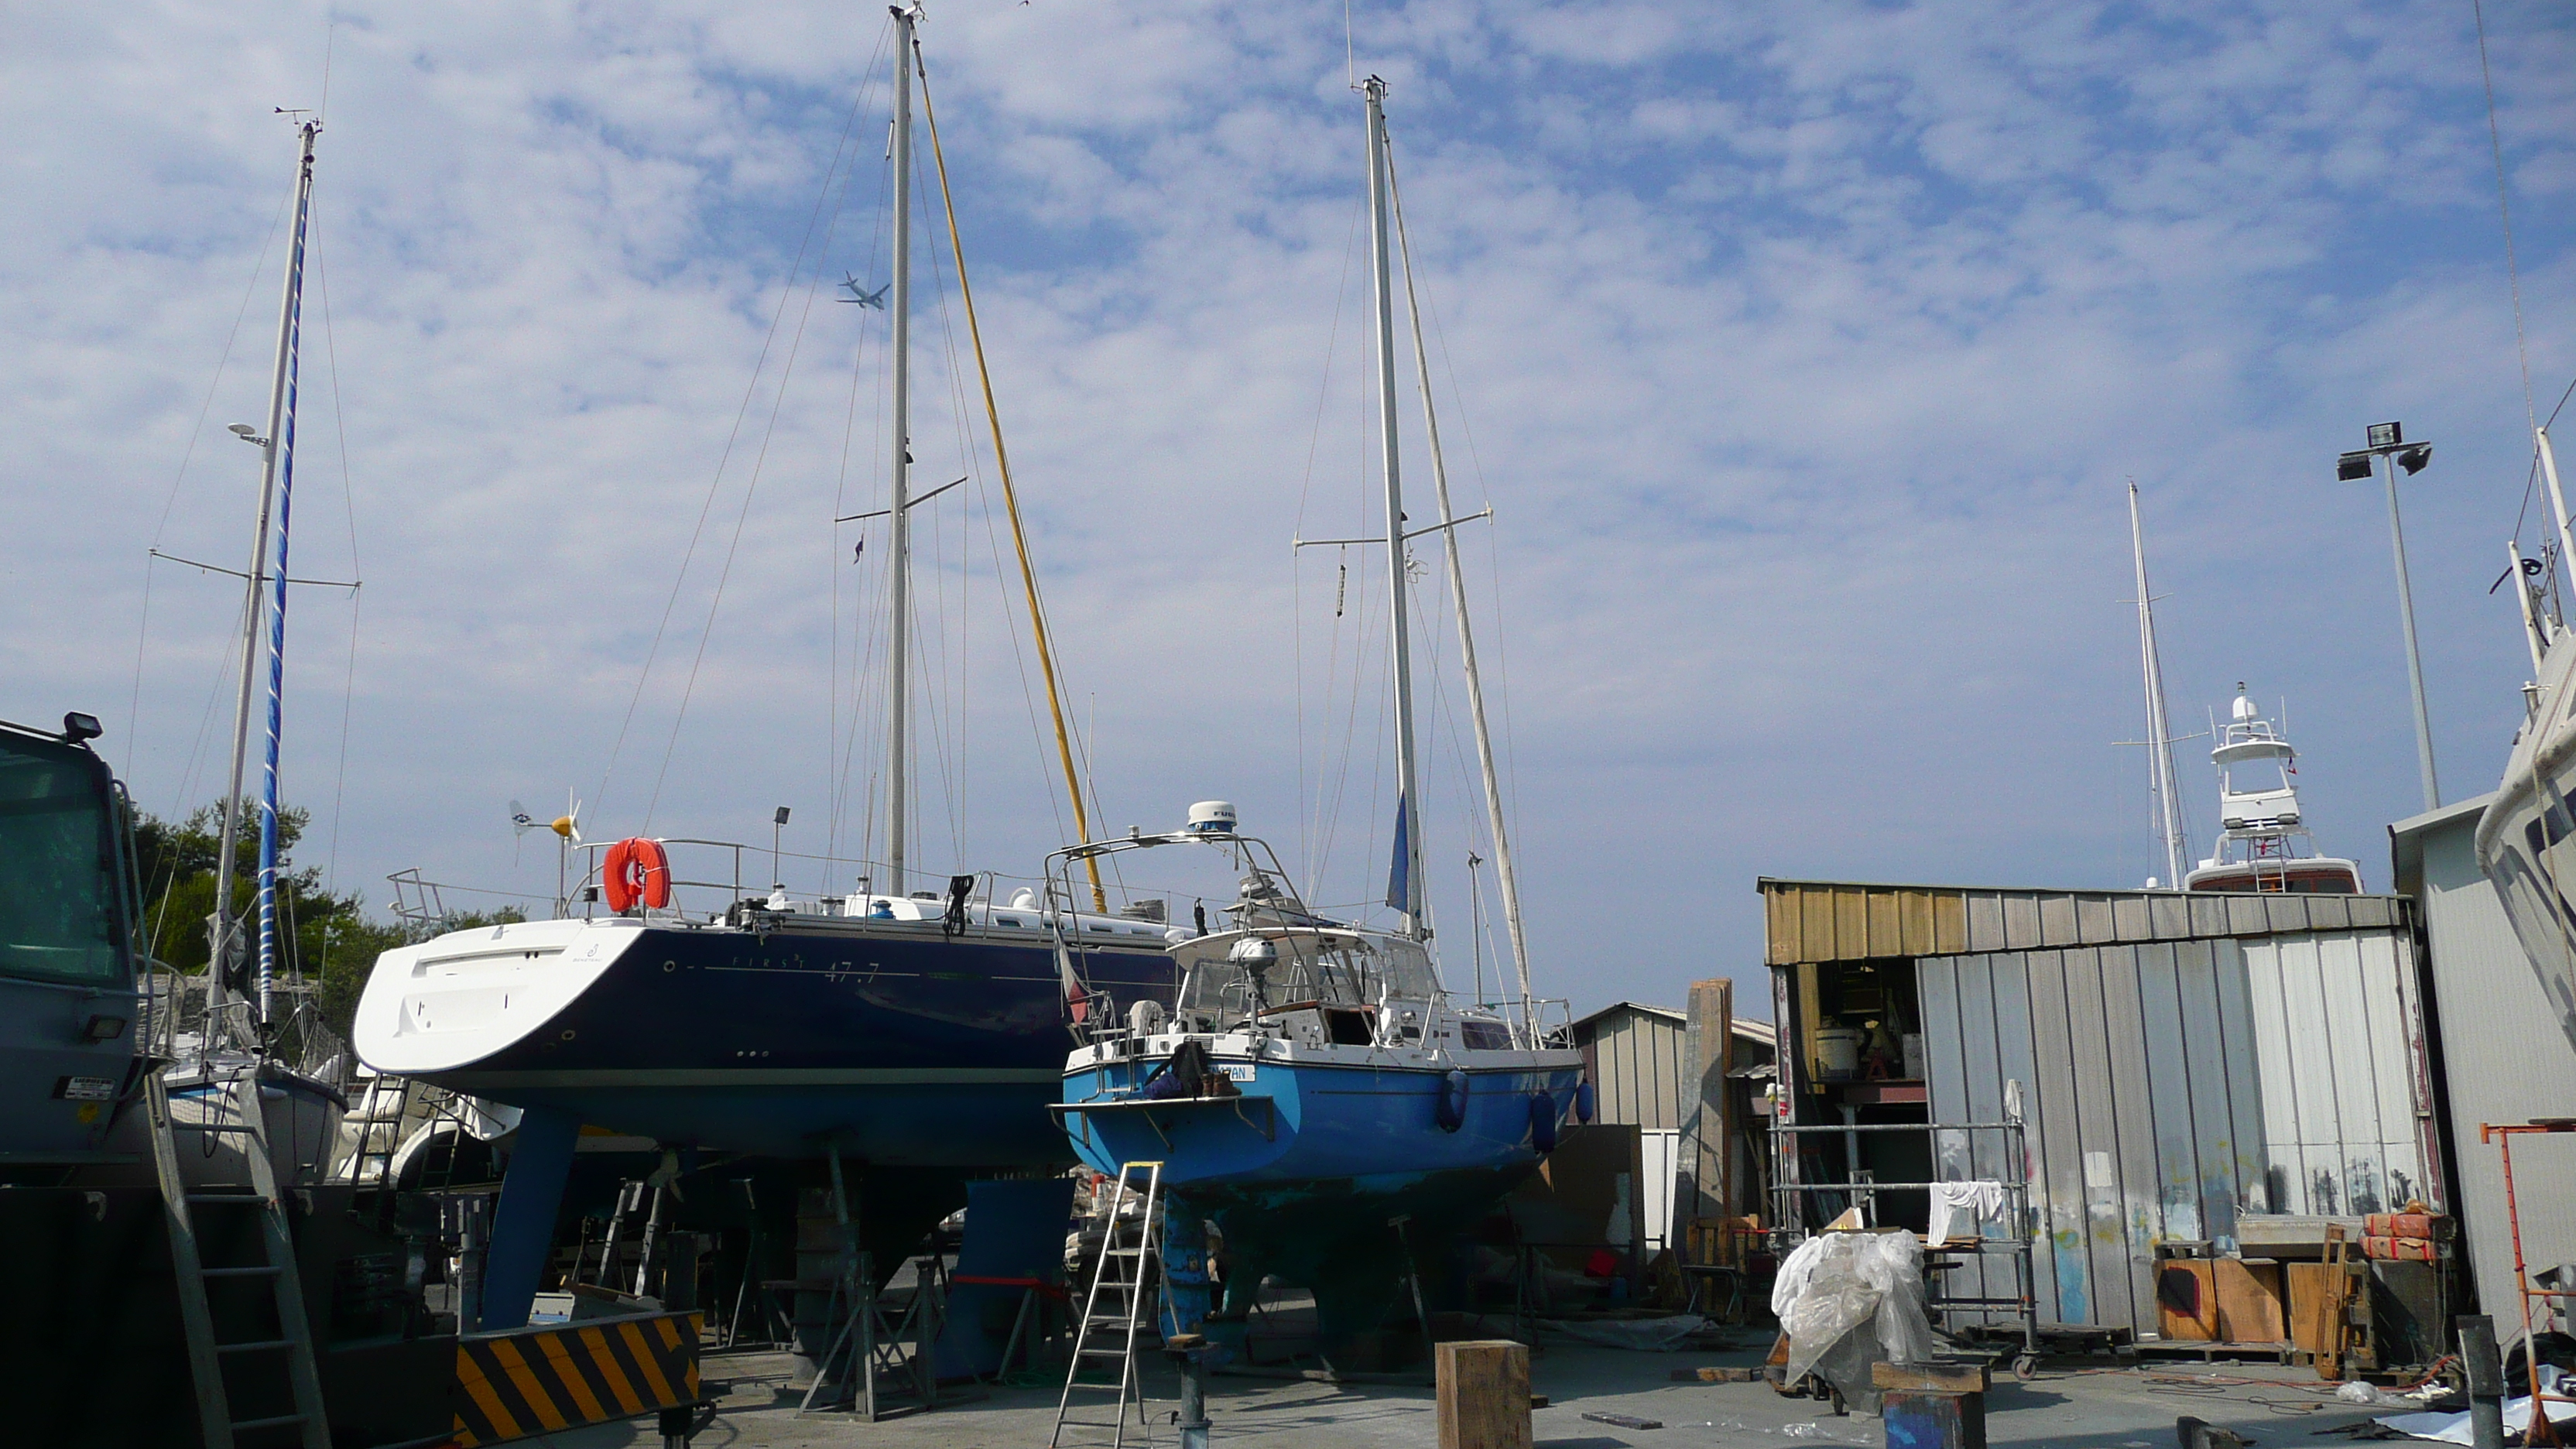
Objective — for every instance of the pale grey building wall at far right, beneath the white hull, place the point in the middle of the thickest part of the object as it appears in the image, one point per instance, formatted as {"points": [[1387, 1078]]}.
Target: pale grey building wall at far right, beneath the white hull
{"points": [[2505, 1061]]}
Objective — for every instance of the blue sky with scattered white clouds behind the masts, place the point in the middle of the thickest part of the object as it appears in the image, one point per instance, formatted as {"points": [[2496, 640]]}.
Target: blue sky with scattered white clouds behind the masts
{"points": [[1802, 357]]}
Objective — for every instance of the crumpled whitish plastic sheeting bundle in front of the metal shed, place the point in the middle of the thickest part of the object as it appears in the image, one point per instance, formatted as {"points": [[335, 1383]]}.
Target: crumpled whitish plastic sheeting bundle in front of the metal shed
{"points": [[1851, 1301]]}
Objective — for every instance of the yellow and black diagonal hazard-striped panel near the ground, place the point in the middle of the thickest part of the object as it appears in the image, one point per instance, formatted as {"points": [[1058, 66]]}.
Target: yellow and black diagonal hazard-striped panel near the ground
{"points": [[542, 1381]]}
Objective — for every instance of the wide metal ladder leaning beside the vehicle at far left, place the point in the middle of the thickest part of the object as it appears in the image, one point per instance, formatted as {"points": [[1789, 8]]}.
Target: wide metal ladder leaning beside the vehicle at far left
{"points": [[290, 1352]]}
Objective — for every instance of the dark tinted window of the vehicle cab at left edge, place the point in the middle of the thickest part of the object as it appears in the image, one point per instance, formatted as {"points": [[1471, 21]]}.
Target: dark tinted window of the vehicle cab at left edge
{"points": [[58, 868]]}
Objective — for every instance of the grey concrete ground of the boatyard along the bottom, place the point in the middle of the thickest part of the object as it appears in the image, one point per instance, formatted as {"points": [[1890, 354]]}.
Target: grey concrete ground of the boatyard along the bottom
{"points": [[2065, 1406]]}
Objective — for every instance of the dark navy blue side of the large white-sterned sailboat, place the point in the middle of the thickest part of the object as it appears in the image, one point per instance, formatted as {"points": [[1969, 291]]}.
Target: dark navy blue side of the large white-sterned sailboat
{"points": [[893, 1051]]}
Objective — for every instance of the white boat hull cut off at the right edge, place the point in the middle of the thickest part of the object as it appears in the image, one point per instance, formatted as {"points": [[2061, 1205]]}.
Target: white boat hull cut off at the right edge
{"points": [[2528, 837]]}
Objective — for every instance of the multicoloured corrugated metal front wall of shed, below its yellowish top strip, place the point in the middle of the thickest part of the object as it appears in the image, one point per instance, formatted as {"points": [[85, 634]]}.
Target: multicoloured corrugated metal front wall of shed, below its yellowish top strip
{"points": [[2157, 1110]]}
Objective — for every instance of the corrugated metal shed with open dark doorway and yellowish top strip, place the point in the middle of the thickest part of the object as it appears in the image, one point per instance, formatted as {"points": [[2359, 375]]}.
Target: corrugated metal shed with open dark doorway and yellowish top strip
{"points": [[2186, 1066]]}
